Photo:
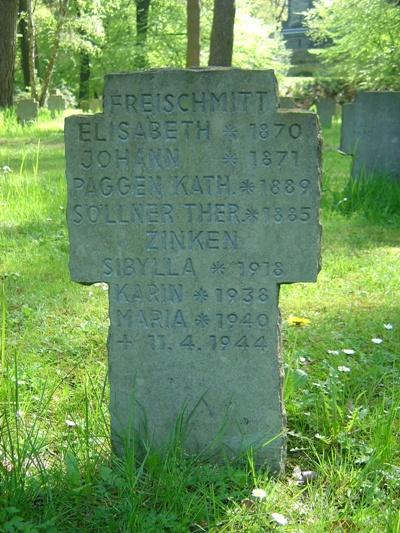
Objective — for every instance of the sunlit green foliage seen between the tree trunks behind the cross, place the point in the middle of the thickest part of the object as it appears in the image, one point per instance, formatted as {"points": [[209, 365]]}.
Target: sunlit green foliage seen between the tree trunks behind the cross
{"points": [[106, 31]]}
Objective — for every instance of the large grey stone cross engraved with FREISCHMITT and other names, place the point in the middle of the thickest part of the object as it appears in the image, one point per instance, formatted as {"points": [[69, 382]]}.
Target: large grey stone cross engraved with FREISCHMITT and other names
{"points": [[193, 197]]}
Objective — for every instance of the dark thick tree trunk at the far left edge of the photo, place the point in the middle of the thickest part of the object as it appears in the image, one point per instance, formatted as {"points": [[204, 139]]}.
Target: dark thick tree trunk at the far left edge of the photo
{"points": [[8, 36]]}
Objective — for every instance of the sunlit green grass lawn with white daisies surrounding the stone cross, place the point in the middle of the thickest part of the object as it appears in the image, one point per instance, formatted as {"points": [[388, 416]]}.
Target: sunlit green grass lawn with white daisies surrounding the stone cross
{"points": [[343, 407]]}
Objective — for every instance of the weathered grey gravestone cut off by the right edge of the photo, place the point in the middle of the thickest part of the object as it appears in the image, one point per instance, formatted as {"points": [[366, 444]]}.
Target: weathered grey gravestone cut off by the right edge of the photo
{"points": [[377, 135]]}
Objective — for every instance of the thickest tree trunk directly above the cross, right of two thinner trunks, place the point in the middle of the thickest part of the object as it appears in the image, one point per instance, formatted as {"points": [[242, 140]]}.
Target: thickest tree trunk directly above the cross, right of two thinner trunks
{"points": [[221, 45]]}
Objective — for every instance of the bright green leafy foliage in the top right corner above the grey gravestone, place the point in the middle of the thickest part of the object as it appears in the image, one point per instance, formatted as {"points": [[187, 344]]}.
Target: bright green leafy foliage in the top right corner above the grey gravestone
{"points": [[364, 37]]}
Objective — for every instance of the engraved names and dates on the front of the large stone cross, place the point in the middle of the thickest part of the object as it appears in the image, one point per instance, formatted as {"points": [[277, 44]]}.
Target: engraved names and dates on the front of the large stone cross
{"points": [[123, 186]]}
